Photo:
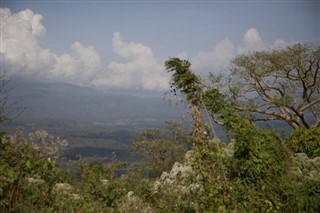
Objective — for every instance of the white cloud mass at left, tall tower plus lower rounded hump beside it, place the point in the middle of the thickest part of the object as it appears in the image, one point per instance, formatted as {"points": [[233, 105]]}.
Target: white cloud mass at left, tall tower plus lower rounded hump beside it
{"points": [[22, 54]]}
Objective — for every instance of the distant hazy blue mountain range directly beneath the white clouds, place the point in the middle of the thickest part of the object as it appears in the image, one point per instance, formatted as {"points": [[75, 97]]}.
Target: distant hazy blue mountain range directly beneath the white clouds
{"points": [[60, 101]]}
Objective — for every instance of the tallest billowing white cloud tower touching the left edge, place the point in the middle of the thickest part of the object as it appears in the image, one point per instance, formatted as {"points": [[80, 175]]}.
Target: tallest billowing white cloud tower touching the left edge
{"points": [[19, 42]]}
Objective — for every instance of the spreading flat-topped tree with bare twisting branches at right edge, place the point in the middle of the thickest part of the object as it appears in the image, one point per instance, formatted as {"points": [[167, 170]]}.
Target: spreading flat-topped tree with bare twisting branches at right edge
{"points": [[279, 85]]}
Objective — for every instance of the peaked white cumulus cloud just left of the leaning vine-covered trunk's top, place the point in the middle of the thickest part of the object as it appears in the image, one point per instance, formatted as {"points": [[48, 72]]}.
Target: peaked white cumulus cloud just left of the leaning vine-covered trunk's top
{"points": [[141, 68]]}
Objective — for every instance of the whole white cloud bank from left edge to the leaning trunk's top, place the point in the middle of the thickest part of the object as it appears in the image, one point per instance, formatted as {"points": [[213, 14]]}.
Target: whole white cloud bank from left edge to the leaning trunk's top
{"points": [[22, 55]]}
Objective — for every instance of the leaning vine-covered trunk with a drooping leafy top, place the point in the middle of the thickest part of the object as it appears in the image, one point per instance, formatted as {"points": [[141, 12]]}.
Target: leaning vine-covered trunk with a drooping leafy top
{"points": [[207, 149]]}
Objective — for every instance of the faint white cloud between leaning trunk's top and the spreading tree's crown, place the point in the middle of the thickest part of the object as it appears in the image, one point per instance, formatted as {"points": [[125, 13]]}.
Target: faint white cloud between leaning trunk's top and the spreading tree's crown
{"points": [[225, 50]]}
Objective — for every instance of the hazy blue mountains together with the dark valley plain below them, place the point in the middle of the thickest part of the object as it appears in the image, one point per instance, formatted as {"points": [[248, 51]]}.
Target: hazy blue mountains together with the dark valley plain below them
{"points": [[95, 123]]}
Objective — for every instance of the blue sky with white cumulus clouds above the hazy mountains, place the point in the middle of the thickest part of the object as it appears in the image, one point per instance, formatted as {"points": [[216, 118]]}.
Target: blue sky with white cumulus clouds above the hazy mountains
{"points": [[124, 44]]}
